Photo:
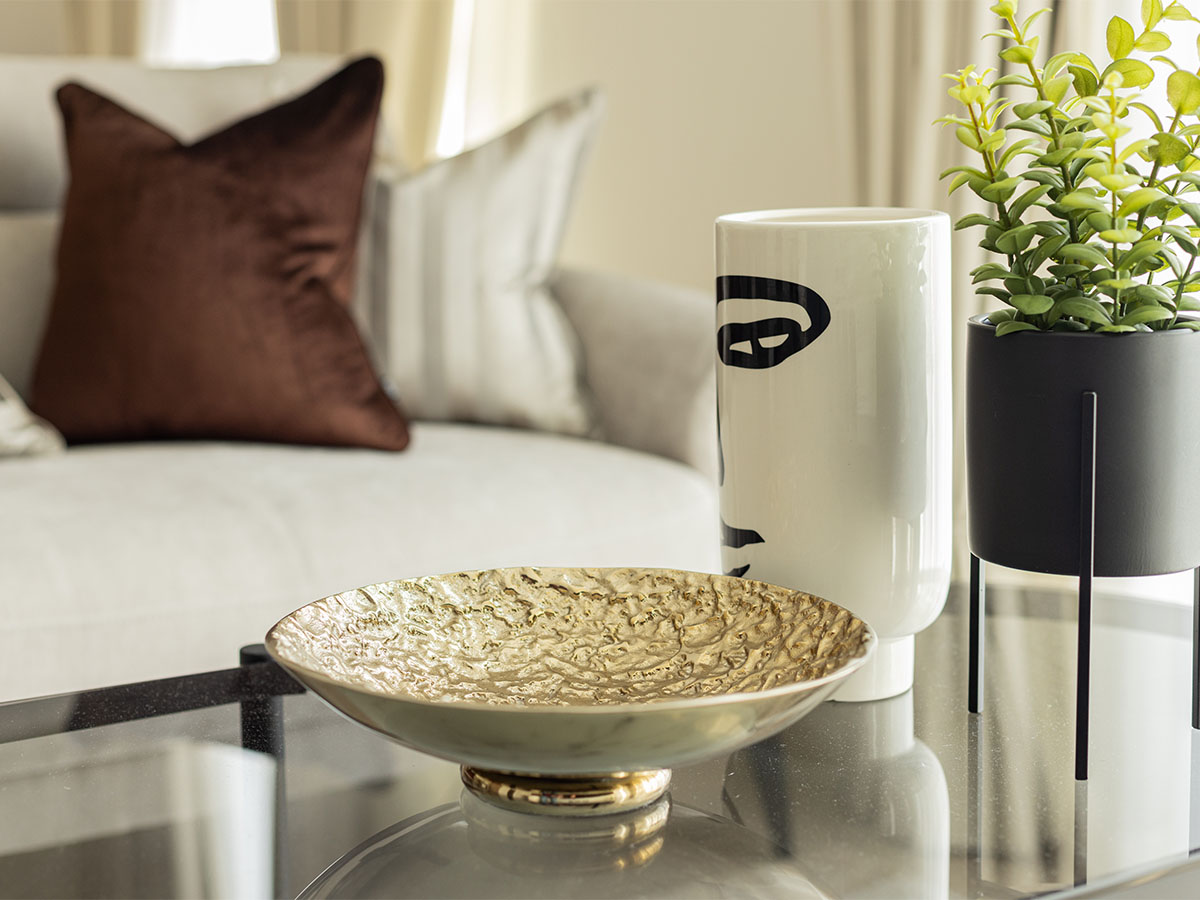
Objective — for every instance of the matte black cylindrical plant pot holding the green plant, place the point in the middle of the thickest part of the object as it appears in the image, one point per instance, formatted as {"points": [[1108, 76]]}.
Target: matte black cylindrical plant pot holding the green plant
{"points": [[1024, 430]]}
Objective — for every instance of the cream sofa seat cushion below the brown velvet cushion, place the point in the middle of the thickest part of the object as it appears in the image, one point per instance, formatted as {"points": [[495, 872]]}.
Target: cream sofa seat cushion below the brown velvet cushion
{"points": [[130, 562]]}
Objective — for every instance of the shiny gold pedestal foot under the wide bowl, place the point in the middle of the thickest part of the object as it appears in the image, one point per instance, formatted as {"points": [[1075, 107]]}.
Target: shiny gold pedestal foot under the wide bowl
{"points": [[568, 796]]}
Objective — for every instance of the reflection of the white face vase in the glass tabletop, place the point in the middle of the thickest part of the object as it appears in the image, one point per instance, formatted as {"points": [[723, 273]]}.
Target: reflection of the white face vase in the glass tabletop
{"points": [[854, 783]]}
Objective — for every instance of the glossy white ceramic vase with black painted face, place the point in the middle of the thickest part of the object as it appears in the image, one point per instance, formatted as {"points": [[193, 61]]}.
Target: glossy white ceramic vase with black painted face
{"points": [[835, 416]]}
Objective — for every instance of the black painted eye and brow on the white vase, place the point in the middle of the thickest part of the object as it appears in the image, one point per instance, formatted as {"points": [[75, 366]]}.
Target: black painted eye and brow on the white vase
{"points": [[796, 337]]}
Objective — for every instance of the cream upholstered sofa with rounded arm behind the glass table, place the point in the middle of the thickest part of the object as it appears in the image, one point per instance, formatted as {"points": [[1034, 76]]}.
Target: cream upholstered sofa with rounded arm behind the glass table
{"points": [[125, 562]]}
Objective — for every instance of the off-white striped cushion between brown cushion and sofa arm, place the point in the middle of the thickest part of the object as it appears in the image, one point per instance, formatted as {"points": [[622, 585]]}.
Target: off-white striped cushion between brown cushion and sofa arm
{"points": [[459, 308]]}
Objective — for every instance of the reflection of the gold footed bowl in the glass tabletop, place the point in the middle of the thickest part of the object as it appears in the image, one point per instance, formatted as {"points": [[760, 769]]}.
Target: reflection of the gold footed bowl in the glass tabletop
{"points": [[478, 850]]}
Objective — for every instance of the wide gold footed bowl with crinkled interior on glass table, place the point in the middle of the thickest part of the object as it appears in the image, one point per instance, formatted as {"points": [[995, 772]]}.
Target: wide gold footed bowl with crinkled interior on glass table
{"points": [[572, 691]]}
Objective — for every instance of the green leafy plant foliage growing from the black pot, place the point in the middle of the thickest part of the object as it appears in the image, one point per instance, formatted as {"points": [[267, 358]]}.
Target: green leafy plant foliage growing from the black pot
{"points": [[1093, 227]]}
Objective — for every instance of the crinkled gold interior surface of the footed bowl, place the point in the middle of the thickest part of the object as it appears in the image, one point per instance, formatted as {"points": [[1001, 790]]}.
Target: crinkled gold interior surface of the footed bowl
{"points": [[571, 638]]}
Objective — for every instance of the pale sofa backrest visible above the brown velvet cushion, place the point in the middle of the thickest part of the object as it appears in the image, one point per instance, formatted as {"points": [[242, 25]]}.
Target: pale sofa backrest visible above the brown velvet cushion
{"points": [[188, 104]]}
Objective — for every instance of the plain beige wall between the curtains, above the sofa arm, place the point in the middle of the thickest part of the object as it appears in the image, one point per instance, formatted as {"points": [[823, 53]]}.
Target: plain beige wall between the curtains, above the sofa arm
{"points": [[713, 107]]}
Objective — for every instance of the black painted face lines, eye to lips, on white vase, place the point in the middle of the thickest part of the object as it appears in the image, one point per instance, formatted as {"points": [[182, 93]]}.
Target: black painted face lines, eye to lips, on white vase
{"points": [[763, 350]]}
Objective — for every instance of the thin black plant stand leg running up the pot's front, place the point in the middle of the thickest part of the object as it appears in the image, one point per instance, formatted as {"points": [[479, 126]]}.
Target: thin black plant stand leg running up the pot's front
{"points": [[1087, 568]]}
